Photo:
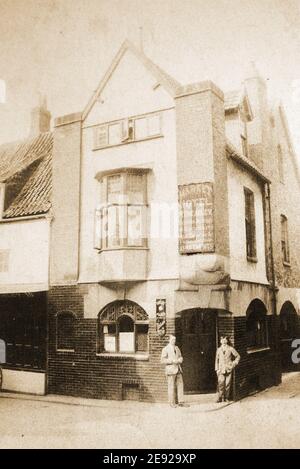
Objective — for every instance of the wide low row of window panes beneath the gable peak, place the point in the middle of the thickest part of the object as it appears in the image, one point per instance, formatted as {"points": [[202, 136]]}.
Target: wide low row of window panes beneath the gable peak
{"points": [[127, 130]]}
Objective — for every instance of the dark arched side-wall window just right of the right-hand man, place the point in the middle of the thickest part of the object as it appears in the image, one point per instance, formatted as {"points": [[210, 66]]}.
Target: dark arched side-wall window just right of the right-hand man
{"points": [[256, 326]]}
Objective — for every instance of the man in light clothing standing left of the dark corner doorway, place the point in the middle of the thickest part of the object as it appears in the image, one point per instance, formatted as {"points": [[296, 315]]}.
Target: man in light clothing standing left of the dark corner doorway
{"points": [[172, 358]]}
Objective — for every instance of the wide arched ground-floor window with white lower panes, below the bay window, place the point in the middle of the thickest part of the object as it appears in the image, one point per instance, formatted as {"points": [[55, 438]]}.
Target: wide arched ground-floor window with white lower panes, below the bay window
{"points": [[123, 328]]}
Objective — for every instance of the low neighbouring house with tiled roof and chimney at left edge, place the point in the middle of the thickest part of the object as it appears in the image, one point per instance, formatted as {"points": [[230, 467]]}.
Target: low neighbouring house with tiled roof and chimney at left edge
{"points": [[25, 191]]}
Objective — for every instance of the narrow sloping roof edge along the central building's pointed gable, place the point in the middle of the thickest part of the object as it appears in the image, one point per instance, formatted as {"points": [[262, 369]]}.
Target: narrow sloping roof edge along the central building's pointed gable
{"points": [[171, 85]]}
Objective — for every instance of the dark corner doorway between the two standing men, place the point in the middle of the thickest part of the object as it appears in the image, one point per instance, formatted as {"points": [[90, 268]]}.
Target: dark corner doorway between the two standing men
{"points": [[198, 350]]}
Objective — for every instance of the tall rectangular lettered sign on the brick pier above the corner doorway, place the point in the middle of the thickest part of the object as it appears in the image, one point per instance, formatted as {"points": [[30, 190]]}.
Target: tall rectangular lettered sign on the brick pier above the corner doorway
{"points": [[196, 218]]}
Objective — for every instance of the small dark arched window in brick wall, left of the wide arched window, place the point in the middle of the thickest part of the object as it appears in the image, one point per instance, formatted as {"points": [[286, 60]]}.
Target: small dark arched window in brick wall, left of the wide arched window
{"points": [[65, 331]]}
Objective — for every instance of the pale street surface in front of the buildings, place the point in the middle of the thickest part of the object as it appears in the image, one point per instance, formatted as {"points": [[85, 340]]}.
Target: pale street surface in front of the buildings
{"points": [[269, 419]]}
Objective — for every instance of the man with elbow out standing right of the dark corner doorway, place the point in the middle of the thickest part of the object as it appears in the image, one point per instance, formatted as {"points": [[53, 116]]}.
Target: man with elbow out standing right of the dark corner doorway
{"points": [[227, 359]]}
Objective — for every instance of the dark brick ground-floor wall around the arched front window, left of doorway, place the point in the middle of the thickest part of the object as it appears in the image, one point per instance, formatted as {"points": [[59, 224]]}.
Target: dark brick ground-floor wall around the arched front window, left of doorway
{"points": [[82, 373]]}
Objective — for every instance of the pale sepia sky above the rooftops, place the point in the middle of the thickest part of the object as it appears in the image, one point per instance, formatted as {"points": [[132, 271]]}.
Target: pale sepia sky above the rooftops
{"points": [[61, 48]]}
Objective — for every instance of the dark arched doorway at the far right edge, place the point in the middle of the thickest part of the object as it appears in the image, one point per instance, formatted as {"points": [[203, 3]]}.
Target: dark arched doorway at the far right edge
{"points": [[288, 331]]}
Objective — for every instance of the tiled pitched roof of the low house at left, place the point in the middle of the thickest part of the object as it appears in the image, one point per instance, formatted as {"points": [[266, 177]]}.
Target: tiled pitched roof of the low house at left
{"points": [[25, 167]]}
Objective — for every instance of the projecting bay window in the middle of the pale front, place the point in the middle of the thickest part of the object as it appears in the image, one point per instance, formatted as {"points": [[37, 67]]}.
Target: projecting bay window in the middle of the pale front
{"points": [[121, 219]]}
